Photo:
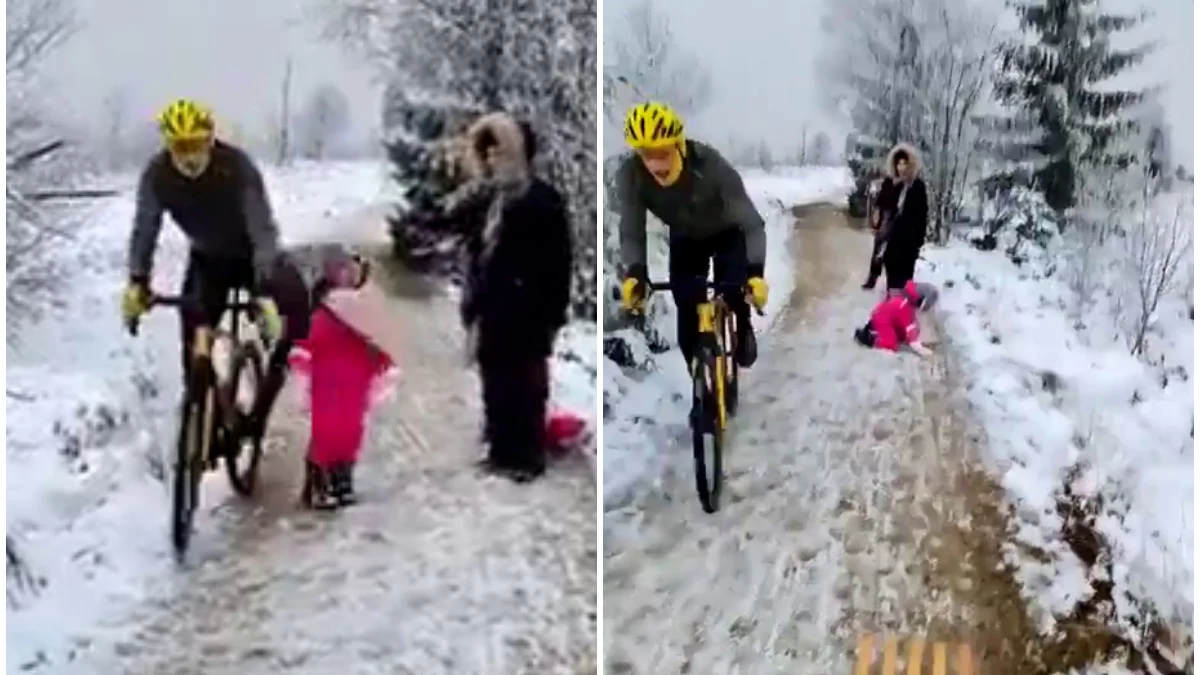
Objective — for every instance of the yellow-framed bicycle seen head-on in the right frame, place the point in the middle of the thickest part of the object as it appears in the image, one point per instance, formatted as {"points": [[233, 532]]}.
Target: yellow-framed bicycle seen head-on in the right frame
{"points": [[715, 377]]}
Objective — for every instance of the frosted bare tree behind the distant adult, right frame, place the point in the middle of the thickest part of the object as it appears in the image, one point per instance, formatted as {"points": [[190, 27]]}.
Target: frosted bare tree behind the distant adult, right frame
{"points": [[917, 73]]}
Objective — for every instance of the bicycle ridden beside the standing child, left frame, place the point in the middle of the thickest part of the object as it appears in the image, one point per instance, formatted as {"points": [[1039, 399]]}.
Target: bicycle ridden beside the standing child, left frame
{"points": [[212, 415]]}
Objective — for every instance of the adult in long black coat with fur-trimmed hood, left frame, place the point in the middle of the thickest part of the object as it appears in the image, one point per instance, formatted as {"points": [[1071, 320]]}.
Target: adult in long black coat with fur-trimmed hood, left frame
{"points": [[518, 292]]}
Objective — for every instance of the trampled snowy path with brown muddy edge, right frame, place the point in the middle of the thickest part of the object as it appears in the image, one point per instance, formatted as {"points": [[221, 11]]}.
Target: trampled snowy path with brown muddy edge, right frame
{"points": [[854, 506]]}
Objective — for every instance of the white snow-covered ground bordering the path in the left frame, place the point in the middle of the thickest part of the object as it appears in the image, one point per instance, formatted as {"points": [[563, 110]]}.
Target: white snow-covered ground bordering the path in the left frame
{"points": [[91, 414]]}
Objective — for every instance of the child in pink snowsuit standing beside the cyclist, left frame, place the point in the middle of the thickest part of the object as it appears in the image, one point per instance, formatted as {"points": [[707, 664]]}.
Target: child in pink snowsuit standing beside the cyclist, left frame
{"points": [[349, 356]]}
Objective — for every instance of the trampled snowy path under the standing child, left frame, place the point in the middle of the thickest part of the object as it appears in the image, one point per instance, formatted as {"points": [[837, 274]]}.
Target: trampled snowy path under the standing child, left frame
{"points": [[439, 570]]}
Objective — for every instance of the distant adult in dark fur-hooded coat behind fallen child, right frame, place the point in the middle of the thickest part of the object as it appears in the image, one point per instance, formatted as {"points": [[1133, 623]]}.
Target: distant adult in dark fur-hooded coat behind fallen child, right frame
{"points": [[904, 212]]}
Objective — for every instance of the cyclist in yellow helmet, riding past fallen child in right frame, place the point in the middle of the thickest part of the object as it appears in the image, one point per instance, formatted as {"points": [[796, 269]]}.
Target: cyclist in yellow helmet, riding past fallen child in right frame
{"points": [[701, 199]]}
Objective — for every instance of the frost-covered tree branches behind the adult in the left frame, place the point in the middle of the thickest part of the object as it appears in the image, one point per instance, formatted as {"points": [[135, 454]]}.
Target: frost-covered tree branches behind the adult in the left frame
{"points": [[536, 61]]}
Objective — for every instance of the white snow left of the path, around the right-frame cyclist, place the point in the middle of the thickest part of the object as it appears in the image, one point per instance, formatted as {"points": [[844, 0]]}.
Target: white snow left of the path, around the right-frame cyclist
{"points": [[647, 407]]}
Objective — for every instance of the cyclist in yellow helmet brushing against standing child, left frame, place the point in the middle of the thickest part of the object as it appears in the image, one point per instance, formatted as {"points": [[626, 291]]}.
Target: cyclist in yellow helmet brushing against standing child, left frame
{"points": [[217, 196]]}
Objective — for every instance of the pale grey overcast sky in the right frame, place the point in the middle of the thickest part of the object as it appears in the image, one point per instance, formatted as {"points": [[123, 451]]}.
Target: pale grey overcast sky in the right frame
{"points": [[763, 56]]}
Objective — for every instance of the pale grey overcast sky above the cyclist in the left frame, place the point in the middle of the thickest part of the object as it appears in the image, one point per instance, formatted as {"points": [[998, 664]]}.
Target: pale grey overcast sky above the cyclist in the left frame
{"points": [[227, 53]]}
